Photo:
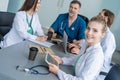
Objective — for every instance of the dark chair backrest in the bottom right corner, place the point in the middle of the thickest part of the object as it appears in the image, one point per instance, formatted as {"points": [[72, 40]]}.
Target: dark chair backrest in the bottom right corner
{"points": [[114, 73]]}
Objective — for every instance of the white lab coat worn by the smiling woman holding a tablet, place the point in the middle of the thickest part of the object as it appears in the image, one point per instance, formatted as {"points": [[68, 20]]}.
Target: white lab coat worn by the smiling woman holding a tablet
{"points": [[88, 65]]}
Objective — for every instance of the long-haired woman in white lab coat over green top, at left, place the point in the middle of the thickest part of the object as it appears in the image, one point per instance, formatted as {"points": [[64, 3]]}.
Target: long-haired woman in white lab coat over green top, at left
{"points": [[26, 25]]}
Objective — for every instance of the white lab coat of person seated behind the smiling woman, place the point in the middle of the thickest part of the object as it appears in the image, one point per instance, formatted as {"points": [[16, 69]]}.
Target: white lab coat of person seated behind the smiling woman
{"points": [[108, 45]]}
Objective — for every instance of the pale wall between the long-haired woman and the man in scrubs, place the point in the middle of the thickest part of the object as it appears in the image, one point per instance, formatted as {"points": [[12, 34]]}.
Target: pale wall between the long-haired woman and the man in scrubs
{"points": [[49, 10]]}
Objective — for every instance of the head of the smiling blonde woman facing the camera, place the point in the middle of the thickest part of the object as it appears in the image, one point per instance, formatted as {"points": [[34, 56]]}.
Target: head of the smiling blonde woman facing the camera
{"points": [[95, 33]]}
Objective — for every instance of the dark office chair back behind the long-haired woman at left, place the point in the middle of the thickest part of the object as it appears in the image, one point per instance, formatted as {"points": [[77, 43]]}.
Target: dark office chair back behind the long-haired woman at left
{"points": [[6, 20]]}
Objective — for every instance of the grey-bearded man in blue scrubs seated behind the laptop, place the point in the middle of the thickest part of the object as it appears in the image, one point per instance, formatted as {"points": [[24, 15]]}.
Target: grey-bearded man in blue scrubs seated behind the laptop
{"points": [[71, 23]]}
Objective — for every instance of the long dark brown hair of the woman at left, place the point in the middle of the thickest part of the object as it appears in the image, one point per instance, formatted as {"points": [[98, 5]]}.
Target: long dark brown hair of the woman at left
{"points": [[28, 4]]}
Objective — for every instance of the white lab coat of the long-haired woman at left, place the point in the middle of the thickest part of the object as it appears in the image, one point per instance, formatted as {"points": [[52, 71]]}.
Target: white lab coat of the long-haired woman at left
{"points": [[19, 29]]}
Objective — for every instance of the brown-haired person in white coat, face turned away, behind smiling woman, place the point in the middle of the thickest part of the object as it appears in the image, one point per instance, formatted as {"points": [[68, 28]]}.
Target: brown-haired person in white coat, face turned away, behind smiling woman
{"points": [[108, 42]]}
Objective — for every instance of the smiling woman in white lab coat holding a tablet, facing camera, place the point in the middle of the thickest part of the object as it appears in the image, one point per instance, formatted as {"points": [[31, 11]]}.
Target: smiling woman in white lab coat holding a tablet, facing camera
{"points": [[89, 62]]}
